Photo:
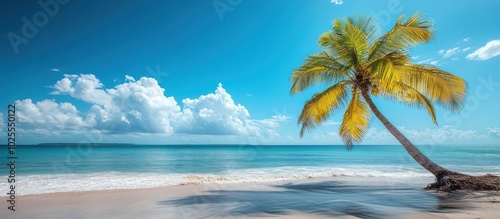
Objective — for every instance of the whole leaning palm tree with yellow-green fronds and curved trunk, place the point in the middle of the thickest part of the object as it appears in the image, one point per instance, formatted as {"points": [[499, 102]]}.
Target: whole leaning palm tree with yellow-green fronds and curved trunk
{"points": [[356, 64]]}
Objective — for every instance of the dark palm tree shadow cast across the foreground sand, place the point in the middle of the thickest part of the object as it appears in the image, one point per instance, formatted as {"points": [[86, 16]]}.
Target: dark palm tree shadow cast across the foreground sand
{"points": [[330, 198]]}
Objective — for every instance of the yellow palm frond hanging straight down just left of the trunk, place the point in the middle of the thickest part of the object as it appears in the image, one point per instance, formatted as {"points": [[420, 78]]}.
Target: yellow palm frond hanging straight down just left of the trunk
{"points": [[355, 122]]}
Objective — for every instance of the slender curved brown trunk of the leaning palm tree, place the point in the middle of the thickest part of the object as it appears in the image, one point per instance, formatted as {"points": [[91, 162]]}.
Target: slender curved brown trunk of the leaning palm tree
{"points": [[425, 162]]}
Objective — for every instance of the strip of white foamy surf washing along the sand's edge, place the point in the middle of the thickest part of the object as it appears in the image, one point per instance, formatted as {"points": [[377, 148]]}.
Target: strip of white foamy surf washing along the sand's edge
{"points": [[55, 183]]}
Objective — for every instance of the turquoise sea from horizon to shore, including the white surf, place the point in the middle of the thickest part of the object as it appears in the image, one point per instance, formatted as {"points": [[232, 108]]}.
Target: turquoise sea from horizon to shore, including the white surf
{"points": [[49, 168]]}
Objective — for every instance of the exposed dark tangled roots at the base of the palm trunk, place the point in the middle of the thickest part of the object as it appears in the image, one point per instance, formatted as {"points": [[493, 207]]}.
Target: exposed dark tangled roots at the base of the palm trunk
{"points": [[449, 181]]}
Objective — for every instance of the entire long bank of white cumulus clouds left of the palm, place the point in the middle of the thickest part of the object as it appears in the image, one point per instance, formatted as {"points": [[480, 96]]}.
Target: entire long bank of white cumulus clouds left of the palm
{"points": [[140, 106]]}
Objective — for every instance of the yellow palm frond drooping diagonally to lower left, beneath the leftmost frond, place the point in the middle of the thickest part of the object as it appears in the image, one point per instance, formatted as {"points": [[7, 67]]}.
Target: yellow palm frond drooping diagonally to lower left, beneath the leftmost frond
{"points": [[317, 109]]}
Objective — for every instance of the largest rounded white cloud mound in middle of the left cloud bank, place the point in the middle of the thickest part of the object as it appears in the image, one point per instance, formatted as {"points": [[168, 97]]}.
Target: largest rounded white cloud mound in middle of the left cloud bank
{"points": [[137, 106]]}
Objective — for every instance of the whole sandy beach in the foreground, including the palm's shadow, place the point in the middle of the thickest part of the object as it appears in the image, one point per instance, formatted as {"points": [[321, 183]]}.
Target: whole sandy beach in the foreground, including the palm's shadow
{"points": [[337, 197]]}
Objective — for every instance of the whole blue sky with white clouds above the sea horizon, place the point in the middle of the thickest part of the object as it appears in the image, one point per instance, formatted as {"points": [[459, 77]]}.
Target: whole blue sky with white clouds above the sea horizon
{"points": [[218, 71]]}
